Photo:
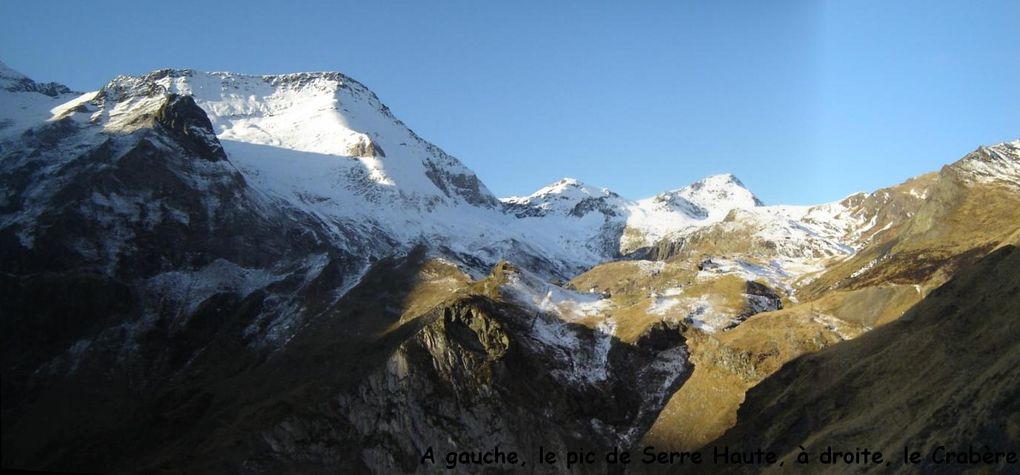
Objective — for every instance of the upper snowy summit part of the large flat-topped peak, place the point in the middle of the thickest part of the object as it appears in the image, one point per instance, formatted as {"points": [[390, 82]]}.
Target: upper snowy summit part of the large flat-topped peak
{"points": [[324, 115]]}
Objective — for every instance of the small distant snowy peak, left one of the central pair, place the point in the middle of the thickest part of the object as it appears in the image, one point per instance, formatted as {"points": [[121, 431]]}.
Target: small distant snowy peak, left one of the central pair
{"points": [[568, 197]]}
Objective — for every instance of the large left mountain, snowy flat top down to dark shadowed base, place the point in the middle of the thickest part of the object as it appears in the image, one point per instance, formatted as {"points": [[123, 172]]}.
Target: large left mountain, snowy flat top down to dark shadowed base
{"points": [[216, 273]]}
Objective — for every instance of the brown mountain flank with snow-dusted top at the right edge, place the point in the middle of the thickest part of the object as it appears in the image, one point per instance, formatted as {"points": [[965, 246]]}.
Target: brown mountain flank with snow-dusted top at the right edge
{"points": [[944, 222]]}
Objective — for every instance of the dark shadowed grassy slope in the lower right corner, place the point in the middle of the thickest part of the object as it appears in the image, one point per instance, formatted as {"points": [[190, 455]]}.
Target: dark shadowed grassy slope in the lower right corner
{"points": [[948, 373]]}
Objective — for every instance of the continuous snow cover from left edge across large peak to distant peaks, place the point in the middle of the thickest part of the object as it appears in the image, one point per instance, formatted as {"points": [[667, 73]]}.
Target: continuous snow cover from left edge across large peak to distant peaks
{"points": [[326, 145]]}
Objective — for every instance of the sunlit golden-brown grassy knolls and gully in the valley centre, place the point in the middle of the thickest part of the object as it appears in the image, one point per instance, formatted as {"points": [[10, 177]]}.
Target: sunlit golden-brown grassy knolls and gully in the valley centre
{"points": [[727, 363]]}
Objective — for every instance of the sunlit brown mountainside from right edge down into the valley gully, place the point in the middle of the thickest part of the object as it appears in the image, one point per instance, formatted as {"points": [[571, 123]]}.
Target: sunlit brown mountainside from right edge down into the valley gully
{"points": [[906, 241]]}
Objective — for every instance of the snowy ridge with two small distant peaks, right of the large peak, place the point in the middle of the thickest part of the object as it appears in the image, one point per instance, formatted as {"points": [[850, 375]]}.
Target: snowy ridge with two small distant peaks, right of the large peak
{"points": [[574, 213]]}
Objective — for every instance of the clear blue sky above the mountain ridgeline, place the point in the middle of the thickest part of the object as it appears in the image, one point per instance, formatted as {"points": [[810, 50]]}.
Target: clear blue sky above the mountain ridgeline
{"points": [[804, 101]]}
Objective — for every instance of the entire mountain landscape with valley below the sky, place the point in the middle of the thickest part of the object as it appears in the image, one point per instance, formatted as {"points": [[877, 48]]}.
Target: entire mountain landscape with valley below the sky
{"points": [[209, 273]]}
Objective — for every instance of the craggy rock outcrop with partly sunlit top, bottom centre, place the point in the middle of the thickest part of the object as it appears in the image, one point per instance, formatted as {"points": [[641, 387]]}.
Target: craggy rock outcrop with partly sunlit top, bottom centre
{"points": [[476, 376]]}
